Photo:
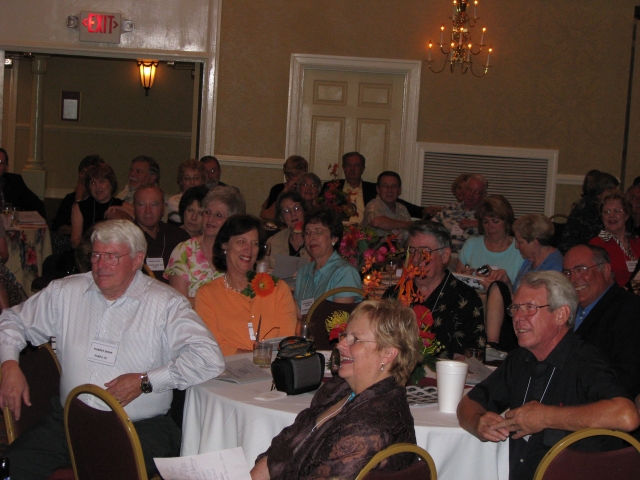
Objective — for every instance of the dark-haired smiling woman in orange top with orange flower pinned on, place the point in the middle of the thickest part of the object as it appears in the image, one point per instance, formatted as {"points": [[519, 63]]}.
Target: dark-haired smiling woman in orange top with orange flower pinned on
{"points": [[233, 305]]}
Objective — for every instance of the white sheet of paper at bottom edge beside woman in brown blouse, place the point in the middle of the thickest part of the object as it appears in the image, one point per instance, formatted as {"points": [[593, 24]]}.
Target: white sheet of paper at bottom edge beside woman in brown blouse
{"points": [[223, 465]]}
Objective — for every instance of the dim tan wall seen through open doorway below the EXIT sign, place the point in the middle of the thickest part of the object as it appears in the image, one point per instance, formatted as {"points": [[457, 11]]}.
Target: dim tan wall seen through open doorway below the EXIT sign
{"points": [[117, 121]]}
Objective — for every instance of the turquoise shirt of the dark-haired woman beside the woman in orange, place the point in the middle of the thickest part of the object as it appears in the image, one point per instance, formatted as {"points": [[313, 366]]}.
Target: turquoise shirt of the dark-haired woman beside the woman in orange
{"points": [[337, 272]]}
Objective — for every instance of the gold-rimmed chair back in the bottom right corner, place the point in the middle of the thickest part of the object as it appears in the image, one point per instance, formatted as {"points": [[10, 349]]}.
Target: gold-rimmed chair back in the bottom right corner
{"points": [[563, 463]]}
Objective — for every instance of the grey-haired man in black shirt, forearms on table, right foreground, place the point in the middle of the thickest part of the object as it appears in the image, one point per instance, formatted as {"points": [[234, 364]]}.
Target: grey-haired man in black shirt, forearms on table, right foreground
{"points": [[554, 384]]}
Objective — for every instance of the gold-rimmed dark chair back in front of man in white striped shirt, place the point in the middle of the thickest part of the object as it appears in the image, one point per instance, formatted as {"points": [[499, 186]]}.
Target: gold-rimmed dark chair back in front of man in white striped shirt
{"points": [[116, 452]]}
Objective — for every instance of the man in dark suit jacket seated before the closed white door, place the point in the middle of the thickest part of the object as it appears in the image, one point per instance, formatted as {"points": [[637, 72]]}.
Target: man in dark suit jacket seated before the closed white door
{"points": [[353, 165]]}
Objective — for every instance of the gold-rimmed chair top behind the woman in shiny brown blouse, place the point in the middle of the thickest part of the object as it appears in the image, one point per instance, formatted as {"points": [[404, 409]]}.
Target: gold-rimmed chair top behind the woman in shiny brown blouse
{"points": [[424, 468]]}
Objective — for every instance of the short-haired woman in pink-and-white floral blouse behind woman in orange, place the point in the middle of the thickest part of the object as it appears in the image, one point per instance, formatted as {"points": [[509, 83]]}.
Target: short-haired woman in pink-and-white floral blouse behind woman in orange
{"points": [[191, 263]]}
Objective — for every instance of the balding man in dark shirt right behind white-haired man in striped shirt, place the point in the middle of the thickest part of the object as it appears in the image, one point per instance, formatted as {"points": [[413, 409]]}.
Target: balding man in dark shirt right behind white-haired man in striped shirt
{"points": [[161, 237]]}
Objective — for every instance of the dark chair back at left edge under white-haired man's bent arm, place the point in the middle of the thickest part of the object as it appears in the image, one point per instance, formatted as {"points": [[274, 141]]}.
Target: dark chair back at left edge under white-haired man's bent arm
{"points": [[42, 371]]}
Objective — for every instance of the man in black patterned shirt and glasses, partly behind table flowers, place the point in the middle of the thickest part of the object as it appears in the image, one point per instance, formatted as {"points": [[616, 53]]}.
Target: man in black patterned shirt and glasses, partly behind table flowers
{"points": [[458, 319]]}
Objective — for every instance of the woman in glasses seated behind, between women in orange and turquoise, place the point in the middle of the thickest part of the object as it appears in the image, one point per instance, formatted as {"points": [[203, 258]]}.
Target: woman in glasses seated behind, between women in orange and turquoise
{"points": [[290, 241]]}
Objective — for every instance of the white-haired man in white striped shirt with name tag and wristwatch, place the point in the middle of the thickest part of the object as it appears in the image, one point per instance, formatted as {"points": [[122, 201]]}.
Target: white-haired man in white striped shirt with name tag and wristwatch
{"points": [[115, 328]]}
